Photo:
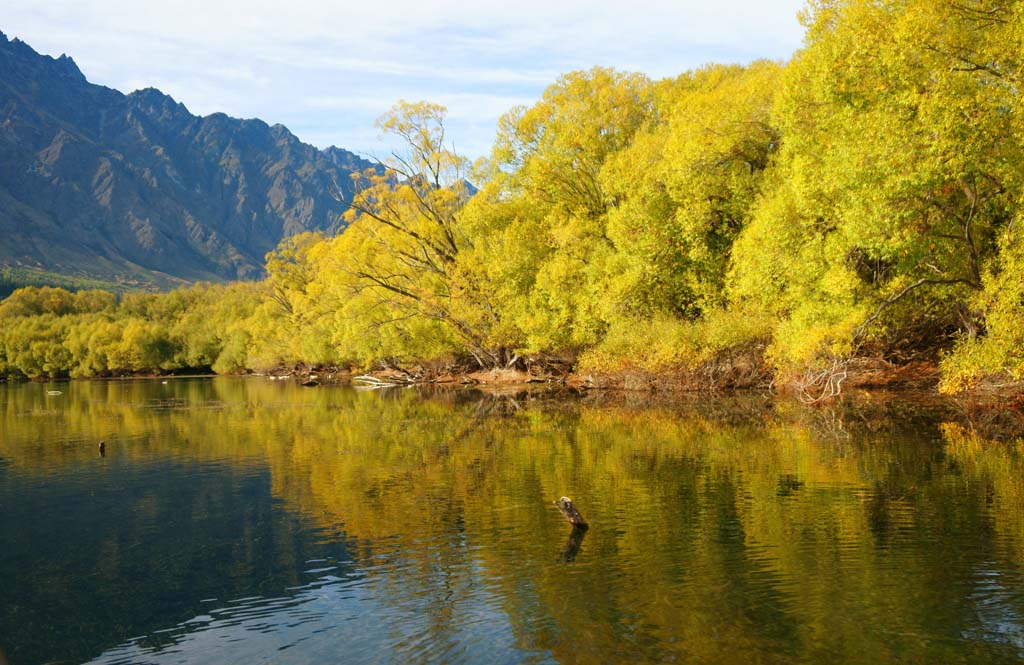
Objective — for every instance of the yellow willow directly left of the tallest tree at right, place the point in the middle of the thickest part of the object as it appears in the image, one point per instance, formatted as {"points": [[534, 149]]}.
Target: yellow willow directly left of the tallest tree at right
{"points": [[684, 190]]}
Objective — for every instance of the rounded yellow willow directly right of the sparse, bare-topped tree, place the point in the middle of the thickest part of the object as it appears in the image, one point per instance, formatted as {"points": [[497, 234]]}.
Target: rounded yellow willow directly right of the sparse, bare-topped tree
{"points": [[542, 216]]}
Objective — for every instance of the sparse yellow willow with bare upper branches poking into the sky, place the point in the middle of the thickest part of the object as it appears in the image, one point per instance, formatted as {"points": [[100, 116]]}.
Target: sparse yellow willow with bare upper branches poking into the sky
{"points": [[397, 268]]}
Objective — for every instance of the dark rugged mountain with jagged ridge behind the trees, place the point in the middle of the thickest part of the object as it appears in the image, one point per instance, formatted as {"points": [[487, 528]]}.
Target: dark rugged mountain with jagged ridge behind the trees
{"points": [[136, 189]]}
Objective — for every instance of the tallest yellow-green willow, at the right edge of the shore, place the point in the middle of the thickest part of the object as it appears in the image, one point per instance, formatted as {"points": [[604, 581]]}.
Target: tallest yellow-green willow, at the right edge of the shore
{"points": [[899, 171]]}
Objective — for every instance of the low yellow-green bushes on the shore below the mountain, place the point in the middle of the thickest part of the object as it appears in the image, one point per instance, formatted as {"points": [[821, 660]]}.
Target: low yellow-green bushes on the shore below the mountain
{"points": [[53, 332]]}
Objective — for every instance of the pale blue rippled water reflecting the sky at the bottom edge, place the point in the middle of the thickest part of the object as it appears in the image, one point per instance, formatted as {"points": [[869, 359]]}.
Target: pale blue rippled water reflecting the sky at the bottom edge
{"points": [[336, 618]]}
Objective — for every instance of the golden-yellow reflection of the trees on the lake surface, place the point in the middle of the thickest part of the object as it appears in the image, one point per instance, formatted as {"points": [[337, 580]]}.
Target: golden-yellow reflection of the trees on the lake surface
{"points": [[720, 530]]}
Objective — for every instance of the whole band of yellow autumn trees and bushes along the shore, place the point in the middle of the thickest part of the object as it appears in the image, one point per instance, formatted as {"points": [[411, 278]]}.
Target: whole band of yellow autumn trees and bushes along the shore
{"points": [[862, 201]]}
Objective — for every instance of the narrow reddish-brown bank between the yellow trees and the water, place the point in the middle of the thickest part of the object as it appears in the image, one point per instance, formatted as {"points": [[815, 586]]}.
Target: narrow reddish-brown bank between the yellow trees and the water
{"points": [[748, 375]]}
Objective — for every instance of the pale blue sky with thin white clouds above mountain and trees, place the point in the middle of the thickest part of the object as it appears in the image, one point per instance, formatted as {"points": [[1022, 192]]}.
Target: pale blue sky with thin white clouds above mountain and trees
{"points": [[327, 70]]}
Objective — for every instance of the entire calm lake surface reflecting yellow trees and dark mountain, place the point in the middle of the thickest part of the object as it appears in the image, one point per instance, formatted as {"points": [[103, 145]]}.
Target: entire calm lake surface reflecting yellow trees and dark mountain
{"points": [[240, 521]]}
